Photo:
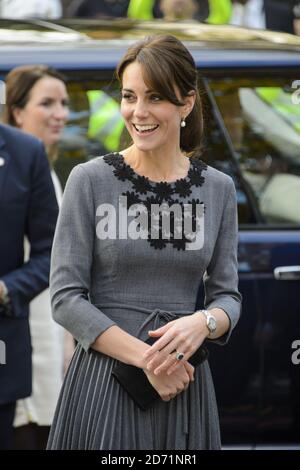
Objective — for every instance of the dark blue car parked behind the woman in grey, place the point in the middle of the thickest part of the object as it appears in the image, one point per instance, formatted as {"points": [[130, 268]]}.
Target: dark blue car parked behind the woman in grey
{"points": [[250, 84]]}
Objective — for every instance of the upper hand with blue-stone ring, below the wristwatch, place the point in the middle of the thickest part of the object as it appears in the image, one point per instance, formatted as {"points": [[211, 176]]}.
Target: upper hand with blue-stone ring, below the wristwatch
{"points": [[184, 335]]}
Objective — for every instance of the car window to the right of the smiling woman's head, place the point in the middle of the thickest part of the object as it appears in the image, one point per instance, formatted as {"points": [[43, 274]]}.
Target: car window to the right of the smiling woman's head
{"points": [[262, 118]]}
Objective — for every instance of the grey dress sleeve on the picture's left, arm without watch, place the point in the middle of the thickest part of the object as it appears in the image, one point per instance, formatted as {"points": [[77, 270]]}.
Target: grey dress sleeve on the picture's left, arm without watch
{"points": [[71, 262]]}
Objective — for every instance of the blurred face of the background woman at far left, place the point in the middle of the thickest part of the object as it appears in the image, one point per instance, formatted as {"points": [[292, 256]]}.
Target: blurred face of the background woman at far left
{"points": [[46, 110]]}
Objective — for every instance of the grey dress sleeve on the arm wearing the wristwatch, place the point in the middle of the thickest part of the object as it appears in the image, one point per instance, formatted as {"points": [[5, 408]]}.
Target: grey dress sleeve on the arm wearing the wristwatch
{"points": [[221, 277]]}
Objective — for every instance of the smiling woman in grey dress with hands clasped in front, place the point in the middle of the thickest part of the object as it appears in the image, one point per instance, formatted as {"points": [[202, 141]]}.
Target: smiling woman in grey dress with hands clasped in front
{"points": [[137, 233]]}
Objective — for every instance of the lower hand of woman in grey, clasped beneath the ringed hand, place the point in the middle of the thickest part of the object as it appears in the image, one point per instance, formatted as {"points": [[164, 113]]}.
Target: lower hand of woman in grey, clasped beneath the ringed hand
{"points": [[168, 386]]}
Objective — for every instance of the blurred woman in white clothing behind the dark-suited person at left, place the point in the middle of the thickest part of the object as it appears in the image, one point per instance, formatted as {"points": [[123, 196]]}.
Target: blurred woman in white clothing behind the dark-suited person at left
{"points": [[37, 103]]}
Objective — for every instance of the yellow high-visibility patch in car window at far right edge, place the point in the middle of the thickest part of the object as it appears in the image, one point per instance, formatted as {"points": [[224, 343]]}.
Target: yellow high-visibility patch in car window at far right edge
{"points": [[281, 101]]}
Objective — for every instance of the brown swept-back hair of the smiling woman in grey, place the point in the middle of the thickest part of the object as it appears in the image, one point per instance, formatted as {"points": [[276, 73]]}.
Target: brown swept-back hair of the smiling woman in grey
{"points": [[167, 64]]}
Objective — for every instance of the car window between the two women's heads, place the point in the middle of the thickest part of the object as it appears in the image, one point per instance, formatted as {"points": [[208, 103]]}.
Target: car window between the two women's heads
{"points": [[95, 126]]}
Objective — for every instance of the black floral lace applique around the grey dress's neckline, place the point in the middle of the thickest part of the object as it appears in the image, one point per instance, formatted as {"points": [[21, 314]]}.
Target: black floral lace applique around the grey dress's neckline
{"points": [[148, 193]]}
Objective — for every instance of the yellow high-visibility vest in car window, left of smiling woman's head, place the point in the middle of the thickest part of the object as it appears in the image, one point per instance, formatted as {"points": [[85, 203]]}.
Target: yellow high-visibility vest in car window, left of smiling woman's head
{"points": [[106, 123]]}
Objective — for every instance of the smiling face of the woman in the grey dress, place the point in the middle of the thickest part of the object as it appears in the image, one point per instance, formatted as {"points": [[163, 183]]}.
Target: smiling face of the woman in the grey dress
{"points": [[152, 121]]}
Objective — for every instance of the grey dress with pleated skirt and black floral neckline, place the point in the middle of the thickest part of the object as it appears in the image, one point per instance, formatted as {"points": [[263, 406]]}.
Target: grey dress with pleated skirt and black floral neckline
{"points": [[117, 261]]}
